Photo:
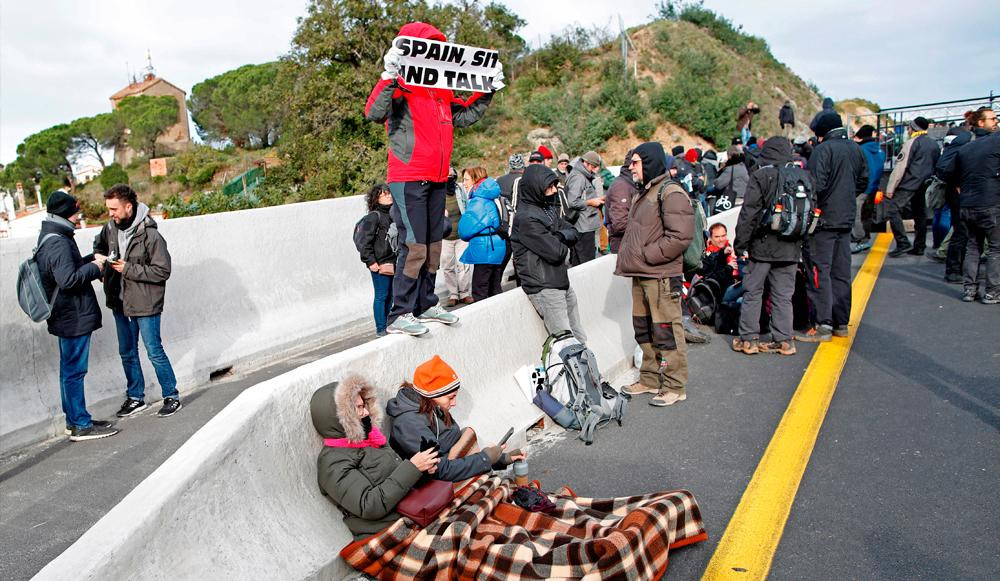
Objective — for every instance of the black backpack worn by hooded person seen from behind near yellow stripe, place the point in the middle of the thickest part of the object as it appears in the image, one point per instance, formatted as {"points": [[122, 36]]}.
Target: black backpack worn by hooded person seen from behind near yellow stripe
{"points": [[793, 213]]}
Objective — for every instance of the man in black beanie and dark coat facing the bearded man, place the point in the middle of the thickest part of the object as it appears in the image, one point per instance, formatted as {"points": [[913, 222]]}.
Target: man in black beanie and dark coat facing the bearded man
{"points": [[75, 312]]}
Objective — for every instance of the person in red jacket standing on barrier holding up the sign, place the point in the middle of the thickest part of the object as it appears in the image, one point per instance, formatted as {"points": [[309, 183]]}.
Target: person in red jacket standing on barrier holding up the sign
{"points": [[419, 122]]}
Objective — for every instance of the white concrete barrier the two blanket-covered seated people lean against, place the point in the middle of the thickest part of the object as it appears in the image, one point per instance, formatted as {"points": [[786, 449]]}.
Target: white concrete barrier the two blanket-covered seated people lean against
{"points": [[240, 498]]}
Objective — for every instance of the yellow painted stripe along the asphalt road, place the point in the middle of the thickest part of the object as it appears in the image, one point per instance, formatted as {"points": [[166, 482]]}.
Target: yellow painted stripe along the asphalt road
{"points": [[747, 547]]}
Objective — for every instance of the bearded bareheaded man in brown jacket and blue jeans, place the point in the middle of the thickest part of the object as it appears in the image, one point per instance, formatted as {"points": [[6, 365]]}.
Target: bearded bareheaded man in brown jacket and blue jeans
{"points": [[135, 282]]}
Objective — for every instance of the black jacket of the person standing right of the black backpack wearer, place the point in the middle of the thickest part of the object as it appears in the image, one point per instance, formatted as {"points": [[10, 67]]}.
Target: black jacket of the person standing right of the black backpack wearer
{"points": [[839, 172]]}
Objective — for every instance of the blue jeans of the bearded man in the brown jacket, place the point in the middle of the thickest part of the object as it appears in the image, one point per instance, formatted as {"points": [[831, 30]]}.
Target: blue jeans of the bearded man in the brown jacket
{"points": [[129, 330]]}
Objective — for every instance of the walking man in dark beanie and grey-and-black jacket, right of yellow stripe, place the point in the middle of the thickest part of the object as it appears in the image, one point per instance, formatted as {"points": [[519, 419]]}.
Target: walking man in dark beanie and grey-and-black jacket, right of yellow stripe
{"points": [[907, 187]]}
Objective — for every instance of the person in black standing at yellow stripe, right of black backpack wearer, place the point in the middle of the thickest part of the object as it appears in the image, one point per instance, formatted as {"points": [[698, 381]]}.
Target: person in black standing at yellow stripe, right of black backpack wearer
{"points": [[839, 171]]}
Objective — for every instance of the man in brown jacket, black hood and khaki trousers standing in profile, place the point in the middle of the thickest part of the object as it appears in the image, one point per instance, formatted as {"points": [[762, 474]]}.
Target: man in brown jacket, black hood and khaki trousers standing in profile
{"points": [[660, 228]]}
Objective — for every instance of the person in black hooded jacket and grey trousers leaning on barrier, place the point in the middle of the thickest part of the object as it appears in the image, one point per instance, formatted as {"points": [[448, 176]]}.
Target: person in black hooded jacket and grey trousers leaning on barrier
{"points": [[542, 241]]}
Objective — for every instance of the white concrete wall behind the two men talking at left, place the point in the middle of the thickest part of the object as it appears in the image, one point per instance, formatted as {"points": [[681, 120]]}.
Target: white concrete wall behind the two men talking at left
{"points": [[246, 288]]}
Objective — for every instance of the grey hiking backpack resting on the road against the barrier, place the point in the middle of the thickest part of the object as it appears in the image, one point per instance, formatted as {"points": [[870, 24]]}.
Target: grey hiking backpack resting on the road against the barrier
{"points": [[569, 388]]}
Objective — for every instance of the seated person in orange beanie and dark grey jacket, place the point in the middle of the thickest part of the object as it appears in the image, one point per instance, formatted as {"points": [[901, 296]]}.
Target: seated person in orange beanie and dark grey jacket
{"points": [[420, 416]]}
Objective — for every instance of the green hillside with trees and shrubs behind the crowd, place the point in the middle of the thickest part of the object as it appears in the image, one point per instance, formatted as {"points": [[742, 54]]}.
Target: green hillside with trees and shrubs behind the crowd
{"points": [[301, 117]]}
